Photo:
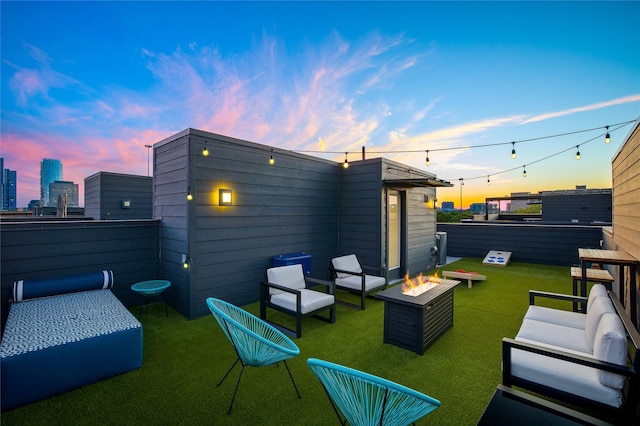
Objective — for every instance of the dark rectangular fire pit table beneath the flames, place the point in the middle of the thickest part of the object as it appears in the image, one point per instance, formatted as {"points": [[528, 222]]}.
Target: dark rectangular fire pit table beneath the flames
{"points": [[416, 322]]}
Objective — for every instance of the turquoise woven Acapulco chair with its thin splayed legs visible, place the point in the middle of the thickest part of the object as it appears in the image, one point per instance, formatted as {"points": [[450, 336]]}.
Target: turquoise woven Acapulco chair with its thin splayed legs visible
{"points": [[257, 343]]}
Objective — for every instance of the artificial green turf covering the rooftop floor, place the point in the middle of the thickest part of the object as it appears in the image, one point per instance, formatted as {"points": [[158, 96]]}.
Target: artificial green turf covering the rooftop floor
{"points": [[183, 361]]}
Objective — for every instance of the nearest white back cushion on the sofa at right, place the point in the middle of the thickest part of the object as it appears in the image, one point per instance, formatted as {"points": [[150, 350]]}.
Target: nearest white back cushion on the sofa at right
{"points": [[611, 345]]}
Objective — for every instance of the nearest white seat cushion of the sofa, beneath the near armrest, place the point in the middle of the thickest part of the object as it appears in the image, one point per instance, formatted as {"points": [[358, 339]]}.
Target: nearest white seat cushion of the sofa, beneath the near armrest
{"points": [[566, 376]]}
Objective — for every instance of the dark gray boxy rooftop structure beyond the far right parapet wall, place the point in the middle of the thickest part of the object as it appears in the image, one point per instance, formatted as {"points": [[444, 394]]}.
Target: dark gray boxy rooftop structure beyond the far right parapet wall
{"points": [[584, 208]]}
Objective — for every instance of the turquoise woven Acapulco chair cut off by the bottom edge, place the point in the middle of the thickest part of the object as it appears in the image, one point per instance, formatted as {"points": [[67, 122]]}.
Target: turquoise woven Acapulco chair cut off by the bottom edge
{"points": [[365, 399]]}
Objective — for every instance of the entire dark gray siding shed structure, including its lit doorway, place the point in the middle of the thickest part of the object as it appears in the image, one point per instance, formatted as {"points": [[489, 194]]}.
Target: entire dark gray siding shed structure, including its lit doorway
{"points": [[226, 212]]}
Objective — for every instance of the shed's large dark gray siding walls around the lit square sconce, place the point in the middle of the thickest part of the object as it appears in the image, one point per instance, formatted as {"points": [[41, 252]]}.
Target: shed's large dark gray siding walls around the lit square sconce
{"points": [[289, 207]]}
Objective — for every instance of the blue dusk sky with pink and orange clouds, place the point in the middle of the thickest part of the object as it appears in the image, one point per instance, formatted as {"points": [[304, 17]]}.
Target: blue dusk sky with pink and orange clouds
{"points": [[90, 83]]}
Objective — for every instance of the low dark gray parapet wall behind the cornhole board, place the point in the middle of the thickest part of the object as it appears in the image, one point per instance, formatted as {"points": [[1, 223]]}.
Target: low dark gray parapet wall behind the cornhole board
{"points": [[542, 244]]}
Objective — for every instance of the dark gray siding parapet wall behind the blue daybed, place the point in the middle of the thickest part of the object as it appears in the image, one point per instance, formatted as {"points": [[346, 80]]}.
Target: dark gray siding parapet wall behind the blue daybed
{"points": [[33, 250]]}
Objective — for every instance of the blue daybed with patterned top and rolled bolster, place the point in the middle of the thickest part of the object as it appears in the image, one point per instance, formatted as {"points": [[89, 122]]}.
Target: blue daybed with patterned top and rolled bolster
{"points": [[64, 333]]}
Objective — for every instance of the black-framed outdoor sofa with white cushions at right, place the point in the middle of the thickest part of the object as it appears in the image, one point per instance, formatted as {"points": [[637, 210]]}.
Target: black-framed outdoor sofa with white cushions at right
{"points": [[589, 359]]}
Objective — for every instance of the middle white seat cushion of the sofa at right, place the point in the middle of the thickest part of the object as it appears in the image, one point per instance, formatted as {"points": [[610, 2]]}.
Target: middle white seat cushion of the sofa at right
{"points": [[555, 335]]}
